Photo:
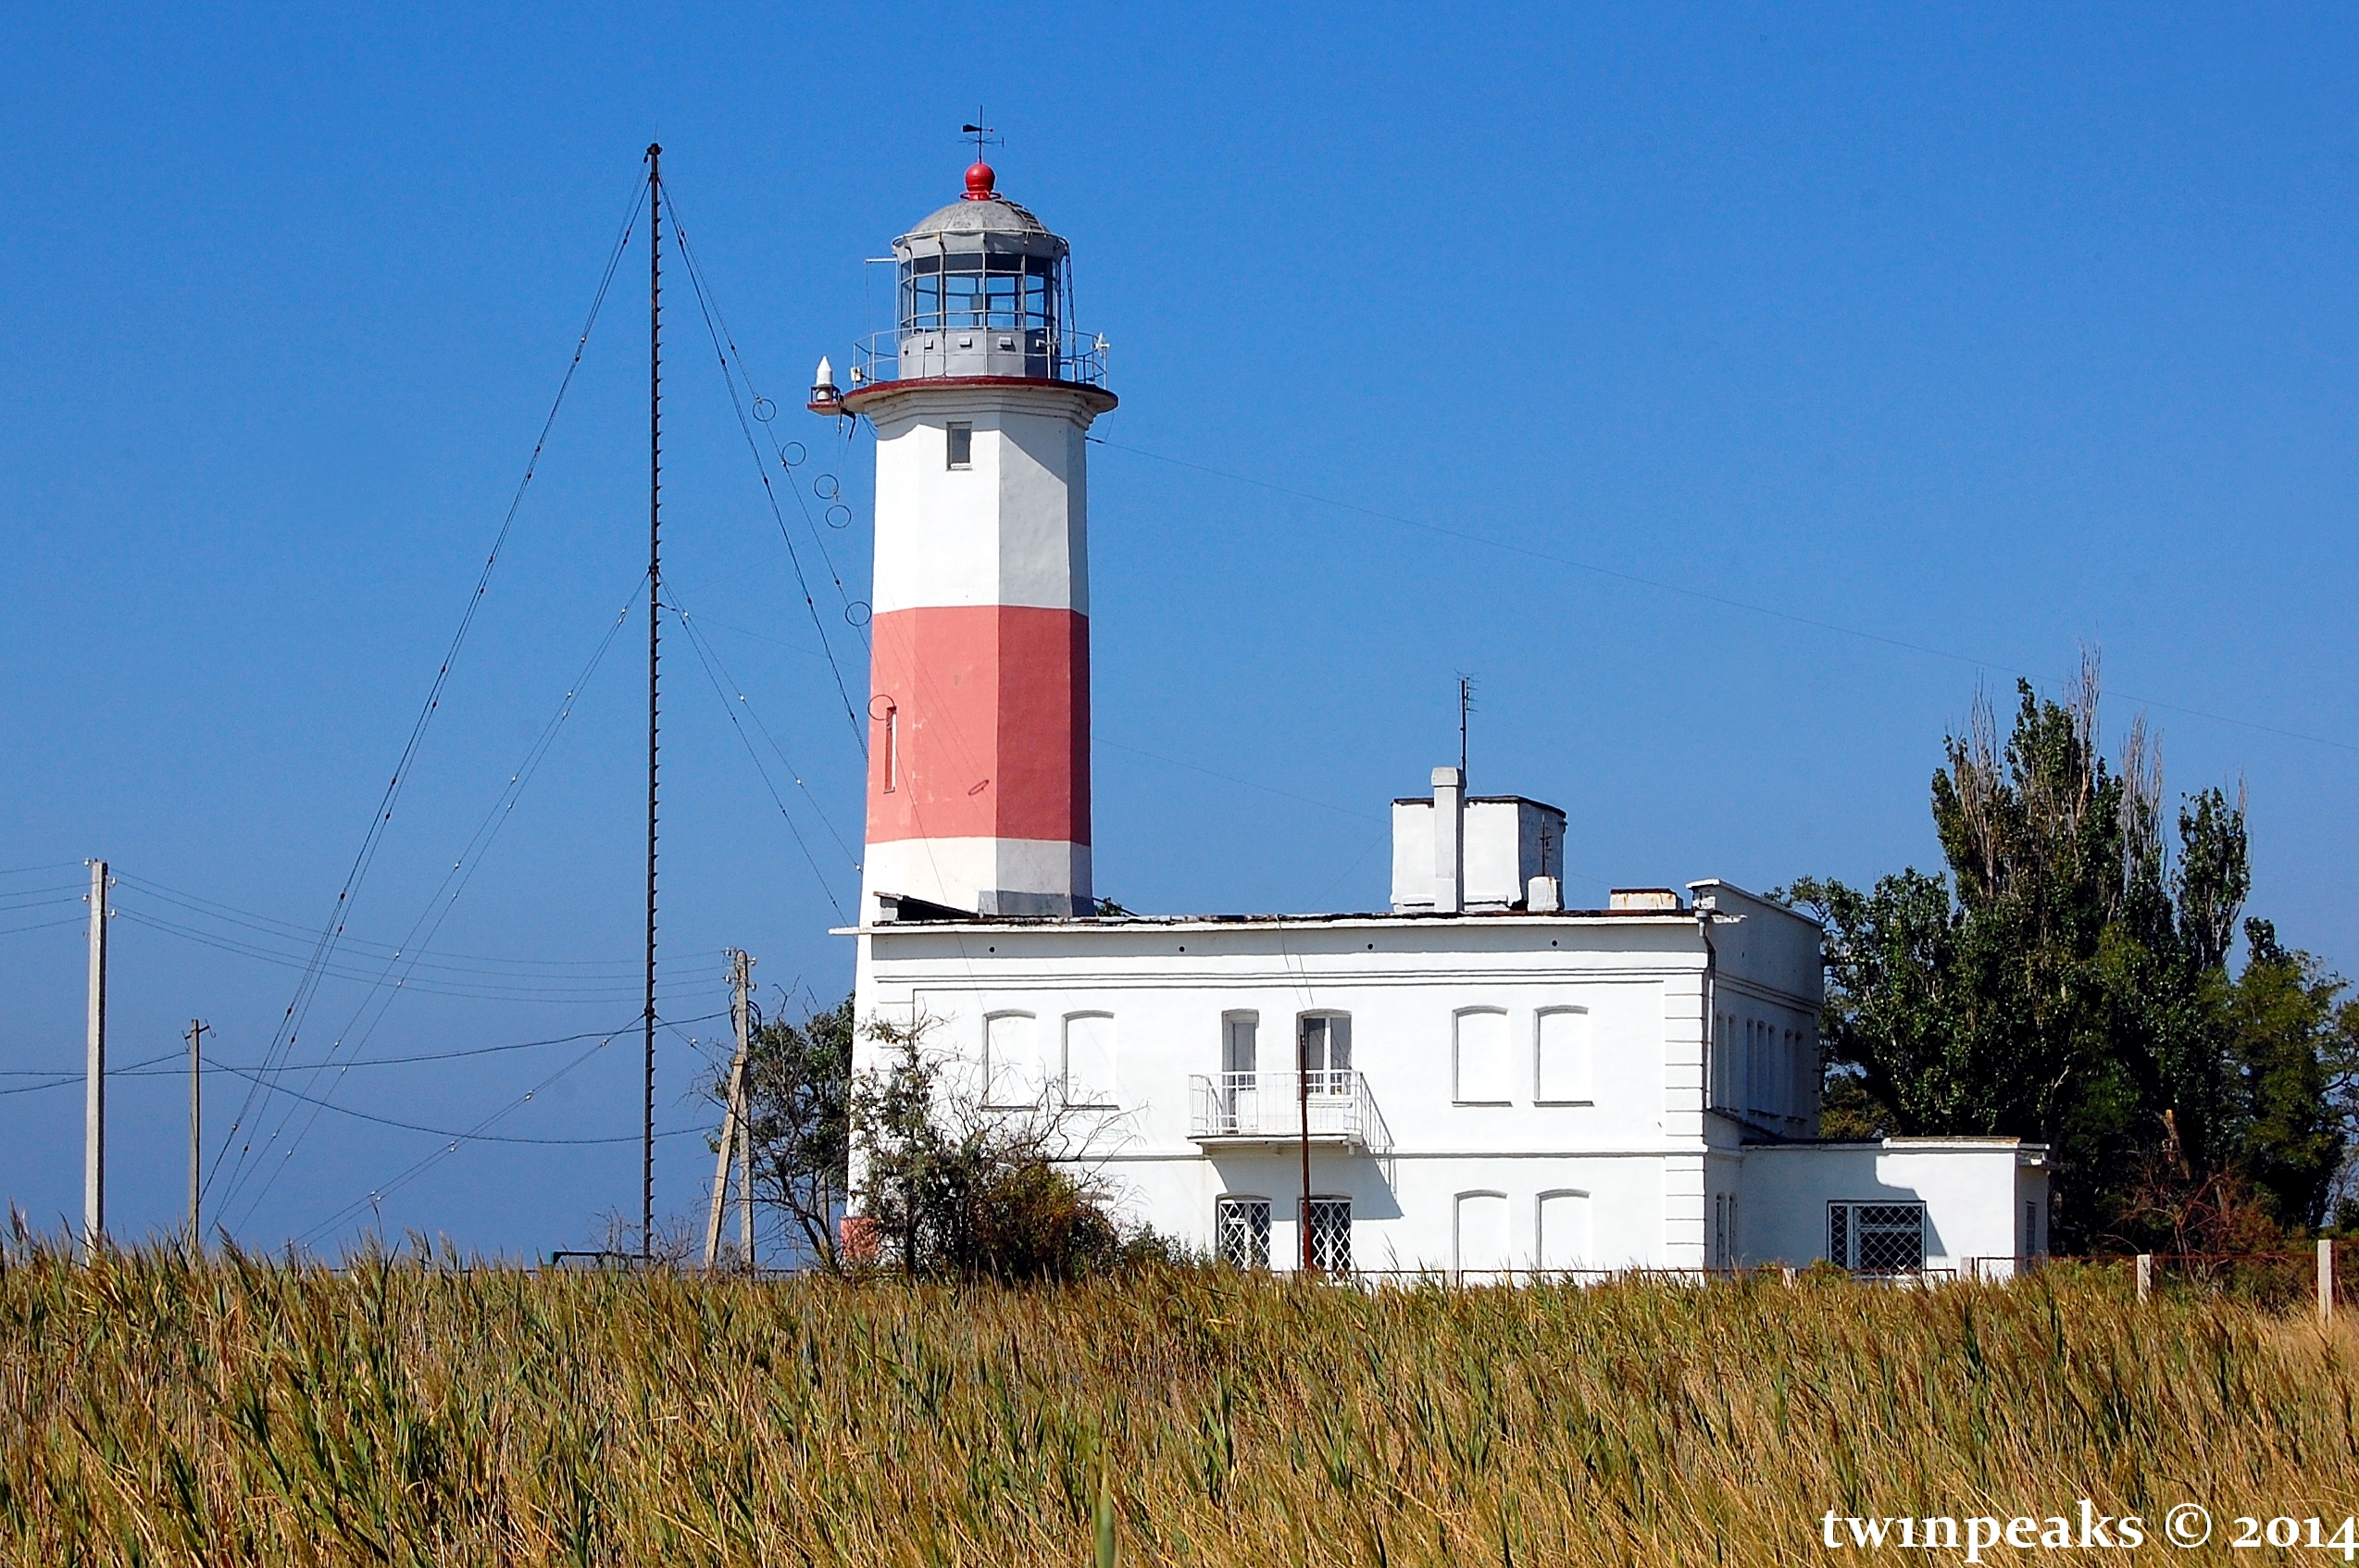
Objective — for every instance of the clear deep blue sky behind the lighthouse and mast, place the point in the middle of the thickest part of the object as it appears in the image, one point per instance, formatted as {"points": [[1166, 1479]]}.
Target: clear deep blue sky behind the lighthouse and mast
{"points": [[1728, 390]]}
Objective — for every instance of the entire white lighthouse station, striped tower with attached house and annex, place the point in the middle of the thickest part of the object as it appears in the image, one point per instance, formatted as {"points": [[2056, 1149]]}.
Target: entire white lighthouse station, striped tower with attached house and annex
{"points": [[1473, 1081]]}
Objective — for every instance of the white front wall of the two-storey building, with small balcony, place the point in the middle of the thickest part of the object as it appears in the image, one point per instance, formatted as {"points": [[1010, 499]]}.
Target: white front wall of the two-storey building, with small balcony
{"points": [[1629, 982]]}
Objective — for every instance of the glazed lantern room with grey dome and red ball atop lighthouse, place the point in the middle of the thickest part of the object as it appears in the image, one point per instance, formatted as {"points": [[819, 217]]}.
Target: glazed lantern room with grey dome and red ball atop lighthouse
{"points": [[985, 289]]}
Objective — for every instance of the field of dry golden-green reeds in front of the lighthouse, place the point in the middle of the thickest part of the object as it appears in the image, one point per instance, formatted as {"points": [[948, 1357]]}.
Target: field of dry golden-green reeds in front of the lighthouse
{"points": [[414, 1411]]}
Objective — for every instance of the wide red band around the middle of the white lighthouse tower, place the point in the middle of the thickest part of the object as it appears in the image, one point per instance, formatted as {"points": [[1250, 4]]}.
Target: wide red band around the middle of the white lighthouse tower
{"points": [[980, 725]]}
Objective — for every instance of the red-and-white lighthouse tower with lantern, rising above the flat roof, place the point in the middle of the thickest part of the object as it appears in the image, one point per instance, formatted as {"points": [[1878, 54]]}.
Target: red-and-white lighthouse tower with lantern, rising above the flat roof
{"points": [[980, 647]]}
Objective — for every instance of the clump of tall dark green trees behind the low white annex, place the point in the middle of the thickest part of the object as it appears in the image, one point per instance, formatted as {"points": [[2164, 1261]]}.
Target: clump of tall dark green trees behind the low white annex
{"points": [[2068, 982]]}
